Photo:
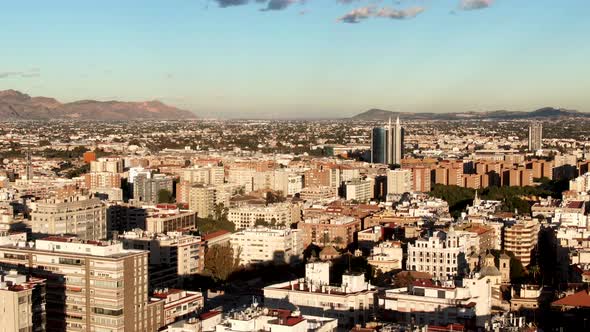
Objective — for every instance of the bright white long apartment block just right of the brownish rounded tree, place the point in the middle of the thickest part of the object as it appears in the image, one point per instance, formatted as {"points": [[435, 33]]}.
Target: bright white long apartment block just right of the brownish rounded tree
{"points": [[261, 244]]}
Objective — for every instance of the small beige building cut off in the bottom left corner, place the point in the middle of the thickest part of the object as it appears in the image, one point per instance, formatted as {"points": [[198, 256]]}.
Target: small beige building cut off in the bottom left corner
{"points": [[22, 302]]}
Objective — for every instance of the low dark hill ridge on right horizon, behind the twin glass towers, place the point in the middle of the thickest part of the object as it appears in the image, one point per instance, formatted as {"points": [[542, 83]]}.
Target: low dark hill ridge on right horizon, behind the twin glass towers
{"points": [[543, 113]]}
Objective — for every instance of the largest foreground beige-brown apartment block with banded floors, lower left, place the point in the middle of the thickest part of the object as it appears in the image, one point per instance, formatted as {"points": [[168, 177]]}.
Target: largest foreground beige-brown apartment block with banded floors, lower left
{"points": [[91, 285]]}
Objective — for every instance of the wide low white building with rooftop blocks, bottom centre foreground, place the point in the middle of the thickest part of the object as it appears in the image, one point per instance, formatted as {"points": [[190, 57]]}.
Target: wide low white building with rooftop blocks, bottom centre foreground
{"points": [[351, 303]]}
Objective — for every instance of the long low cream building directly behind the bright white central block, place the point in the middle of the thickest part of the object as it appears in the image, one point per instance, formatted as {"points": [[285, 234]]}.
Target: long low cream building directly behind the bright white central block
{"points": [[279, 213]]}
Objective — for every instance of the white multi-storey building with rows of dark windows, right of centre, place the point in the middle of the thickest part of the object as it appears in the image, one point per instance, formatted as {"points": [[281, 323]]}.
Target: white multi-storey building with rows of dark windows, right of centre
{"points": [[443, 255]]}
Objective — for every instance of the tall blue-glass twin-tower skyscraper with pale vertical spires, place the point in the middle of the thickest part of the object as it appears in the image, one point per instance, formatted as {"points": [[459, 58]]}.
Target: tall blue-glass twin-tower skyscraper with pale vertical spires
{"points": [[387, 143]]}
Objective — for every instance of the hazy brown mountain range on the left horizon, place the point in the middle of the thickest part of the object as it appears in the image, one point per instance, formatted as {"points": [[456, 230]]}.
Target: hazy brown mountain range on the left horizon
{"points": [[15, 105]]}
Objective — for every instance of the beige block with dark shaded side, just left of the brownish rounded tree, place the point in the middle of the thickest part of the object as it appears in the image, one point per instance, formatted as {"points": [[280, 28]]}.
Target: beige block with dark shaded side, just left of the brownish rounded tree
{"points": [[173, 256]]}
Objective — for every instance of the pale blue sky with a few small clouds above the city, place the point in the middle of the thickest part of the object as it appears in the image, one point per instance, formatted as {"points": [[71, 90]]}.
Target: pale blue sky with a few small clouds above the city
{"points": [[302, 58]]}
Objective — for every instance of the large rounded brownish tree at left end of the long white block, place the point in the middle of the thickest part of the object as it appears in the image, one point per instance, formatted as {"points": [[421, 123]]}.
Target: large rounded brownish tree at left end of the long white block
{"points": [[221, 262]]}
